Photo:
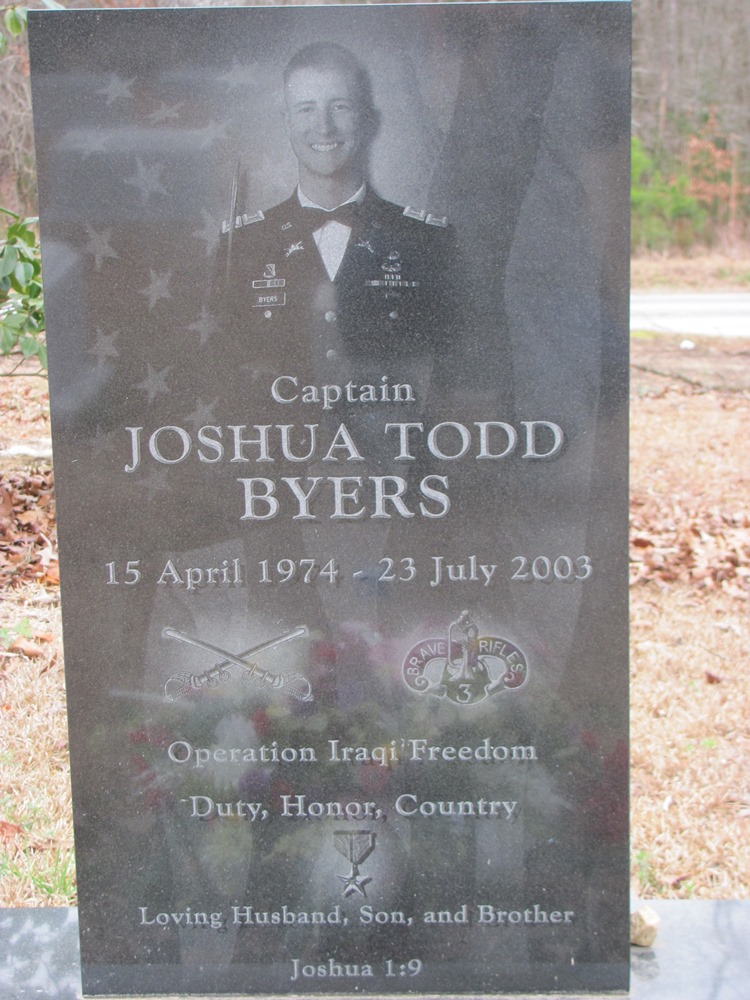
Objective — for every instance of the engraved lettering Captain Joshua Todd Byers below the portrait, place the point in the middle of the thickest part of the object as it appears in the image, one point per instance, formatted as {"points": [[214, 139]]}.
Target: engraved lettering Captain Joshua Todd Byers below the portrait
{"points": [[309, 498]]}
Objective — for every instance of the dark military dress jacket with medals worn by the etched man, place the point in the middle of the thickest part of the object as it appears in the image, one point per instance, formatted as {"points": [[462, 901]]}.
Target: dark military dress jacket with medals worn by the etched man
{"points": [[388, 308]]}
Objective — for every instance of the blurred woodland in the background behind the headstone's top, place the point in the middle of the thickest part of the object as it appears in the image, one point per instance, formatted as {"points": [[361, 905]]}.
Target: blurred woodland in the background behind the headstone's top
{"points": [[691, 120]]}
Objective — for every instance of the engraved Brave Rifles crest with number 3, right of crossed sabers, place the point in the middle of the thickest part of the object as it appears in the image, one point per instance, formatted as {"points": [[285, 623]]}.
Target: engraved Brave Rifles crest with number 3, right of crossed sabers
{"points": [[463, 666]]}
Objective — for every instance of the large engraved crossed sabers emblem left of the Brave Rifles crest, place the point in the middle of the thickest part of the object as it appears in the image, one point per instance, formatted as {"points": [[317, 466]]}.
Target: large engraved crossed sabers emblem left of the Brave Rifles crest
{"points": [[180, 685]]}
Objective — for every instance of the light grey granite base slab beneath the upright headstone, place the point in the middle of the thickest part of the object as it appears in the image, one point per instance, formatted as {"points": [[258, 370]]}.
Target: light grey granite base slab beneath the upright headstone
{"points": [[701, 953]]}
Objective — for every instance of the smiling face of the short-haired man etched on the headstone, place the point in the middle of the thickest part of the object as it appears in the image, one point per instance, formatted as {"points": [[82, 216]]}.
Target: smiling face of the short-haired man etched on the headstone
{"points": [[325, 121]]}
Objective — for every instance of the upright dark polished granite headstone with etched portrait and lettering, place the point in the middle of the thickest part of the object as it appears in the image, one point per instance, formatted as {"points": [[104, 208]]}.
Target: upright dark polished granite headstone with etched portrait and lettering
{"points": [[342, 495]]}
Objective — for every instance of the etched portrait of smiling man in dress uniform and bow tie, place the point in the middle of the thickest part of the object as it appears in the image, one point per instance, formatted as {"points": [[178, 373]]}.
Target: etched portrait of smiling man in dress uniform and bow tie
{"points": [[335, 276]]}
